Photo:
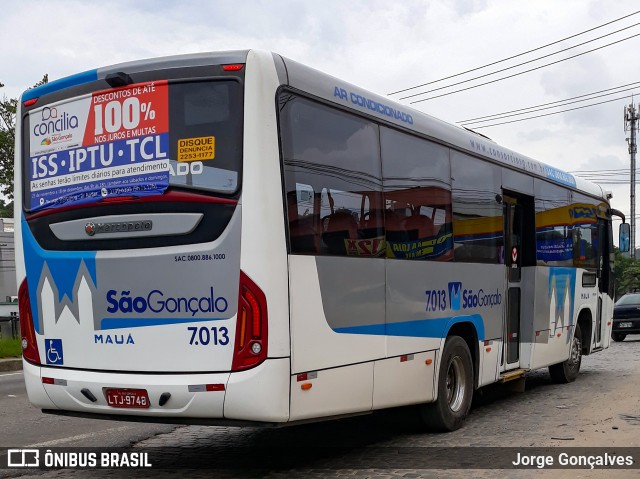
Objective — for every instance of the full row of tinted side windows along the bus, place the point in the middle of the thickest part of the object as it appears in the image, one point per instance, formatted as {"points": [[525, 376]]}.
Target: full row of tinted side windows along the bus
{"points": [[356, 188]]}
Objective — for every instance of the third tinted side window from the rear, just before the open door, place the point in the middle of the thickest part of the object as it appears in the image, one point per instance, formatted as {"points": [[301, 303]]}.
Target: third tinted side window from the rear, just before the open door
{"points": [[477, 211]]}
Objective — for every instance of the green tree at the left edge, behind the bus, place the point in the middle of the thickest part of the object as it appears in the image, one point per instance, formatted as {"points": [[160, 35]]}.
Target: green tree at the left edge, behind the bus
{"points": [[7, 148]]}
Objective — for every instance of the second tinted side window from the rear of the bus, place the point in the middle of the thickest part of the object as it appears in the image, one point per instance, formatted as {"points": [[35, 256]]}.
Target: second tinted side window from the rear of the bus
{"points": [[417, 191]]}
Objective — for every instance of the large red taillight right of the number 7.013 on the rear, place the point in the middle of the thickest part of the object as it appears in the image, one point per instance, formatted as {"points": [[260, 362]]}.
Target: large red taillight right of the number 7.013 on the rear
{"points": [[251, 330]]}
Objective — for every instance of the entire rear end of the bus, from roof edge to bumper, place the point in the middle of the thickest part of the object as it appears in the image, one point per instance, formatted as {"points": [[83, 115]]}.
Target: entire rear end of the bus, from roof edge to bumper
{"points": [[136, 298]]}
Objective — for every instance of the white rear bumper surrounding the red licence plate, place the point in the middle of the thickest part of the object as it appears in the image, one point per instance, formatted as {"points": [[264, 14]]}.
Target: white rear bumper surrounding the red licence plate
{"points": [[260, 394]]}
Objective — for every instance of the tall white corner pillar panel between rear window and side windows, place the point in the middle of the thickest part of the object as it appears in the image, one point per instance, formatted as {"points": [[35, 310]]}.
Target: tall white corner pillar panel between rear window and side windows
{"points": [[264, 253]]}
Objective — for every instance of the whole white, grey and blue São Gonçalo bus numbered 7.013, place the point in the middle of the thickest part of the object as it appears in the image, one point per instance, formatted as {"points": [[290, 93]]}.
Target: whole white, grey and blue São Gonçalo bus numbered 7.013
{"points": [[234, 238]]}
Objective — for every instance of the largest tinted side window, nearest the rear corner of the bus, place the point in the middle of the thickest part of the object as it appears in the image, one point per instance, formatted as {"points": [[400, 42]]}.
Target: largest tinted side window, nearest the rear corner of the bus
{"points": [[335, 155]]}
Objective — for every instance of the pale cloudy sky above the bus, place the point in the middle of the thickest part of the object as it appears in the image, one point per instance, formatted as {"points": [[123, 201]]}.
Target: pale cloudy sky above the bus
{"points": [[379, 45]]}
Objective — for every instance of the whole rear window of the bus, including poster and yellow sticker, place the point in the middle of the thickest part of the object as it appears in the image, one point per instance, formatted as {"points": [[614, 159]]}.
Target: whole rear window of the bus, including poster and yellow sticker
{"points": [[137, 140]]}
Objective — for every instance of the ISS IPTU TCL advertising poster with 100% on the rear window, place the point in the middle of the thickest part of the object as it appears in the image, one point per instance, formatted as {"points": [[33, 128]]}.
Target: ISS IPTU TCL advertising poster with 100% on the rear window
{"points": [[109, 144]]}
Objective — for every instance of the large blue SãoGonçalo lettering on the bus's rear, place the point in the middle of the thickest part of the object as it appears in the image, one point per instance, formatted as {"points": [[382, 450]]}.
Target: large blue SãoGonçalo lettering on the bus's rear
{"points": [[157, 302]]}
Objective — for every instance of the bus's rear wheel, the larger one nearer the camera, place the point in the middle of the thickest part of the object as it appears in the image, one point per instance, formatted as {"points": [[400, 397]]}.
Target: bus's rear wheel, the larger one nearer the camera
{"points": [[455, 388]]}
